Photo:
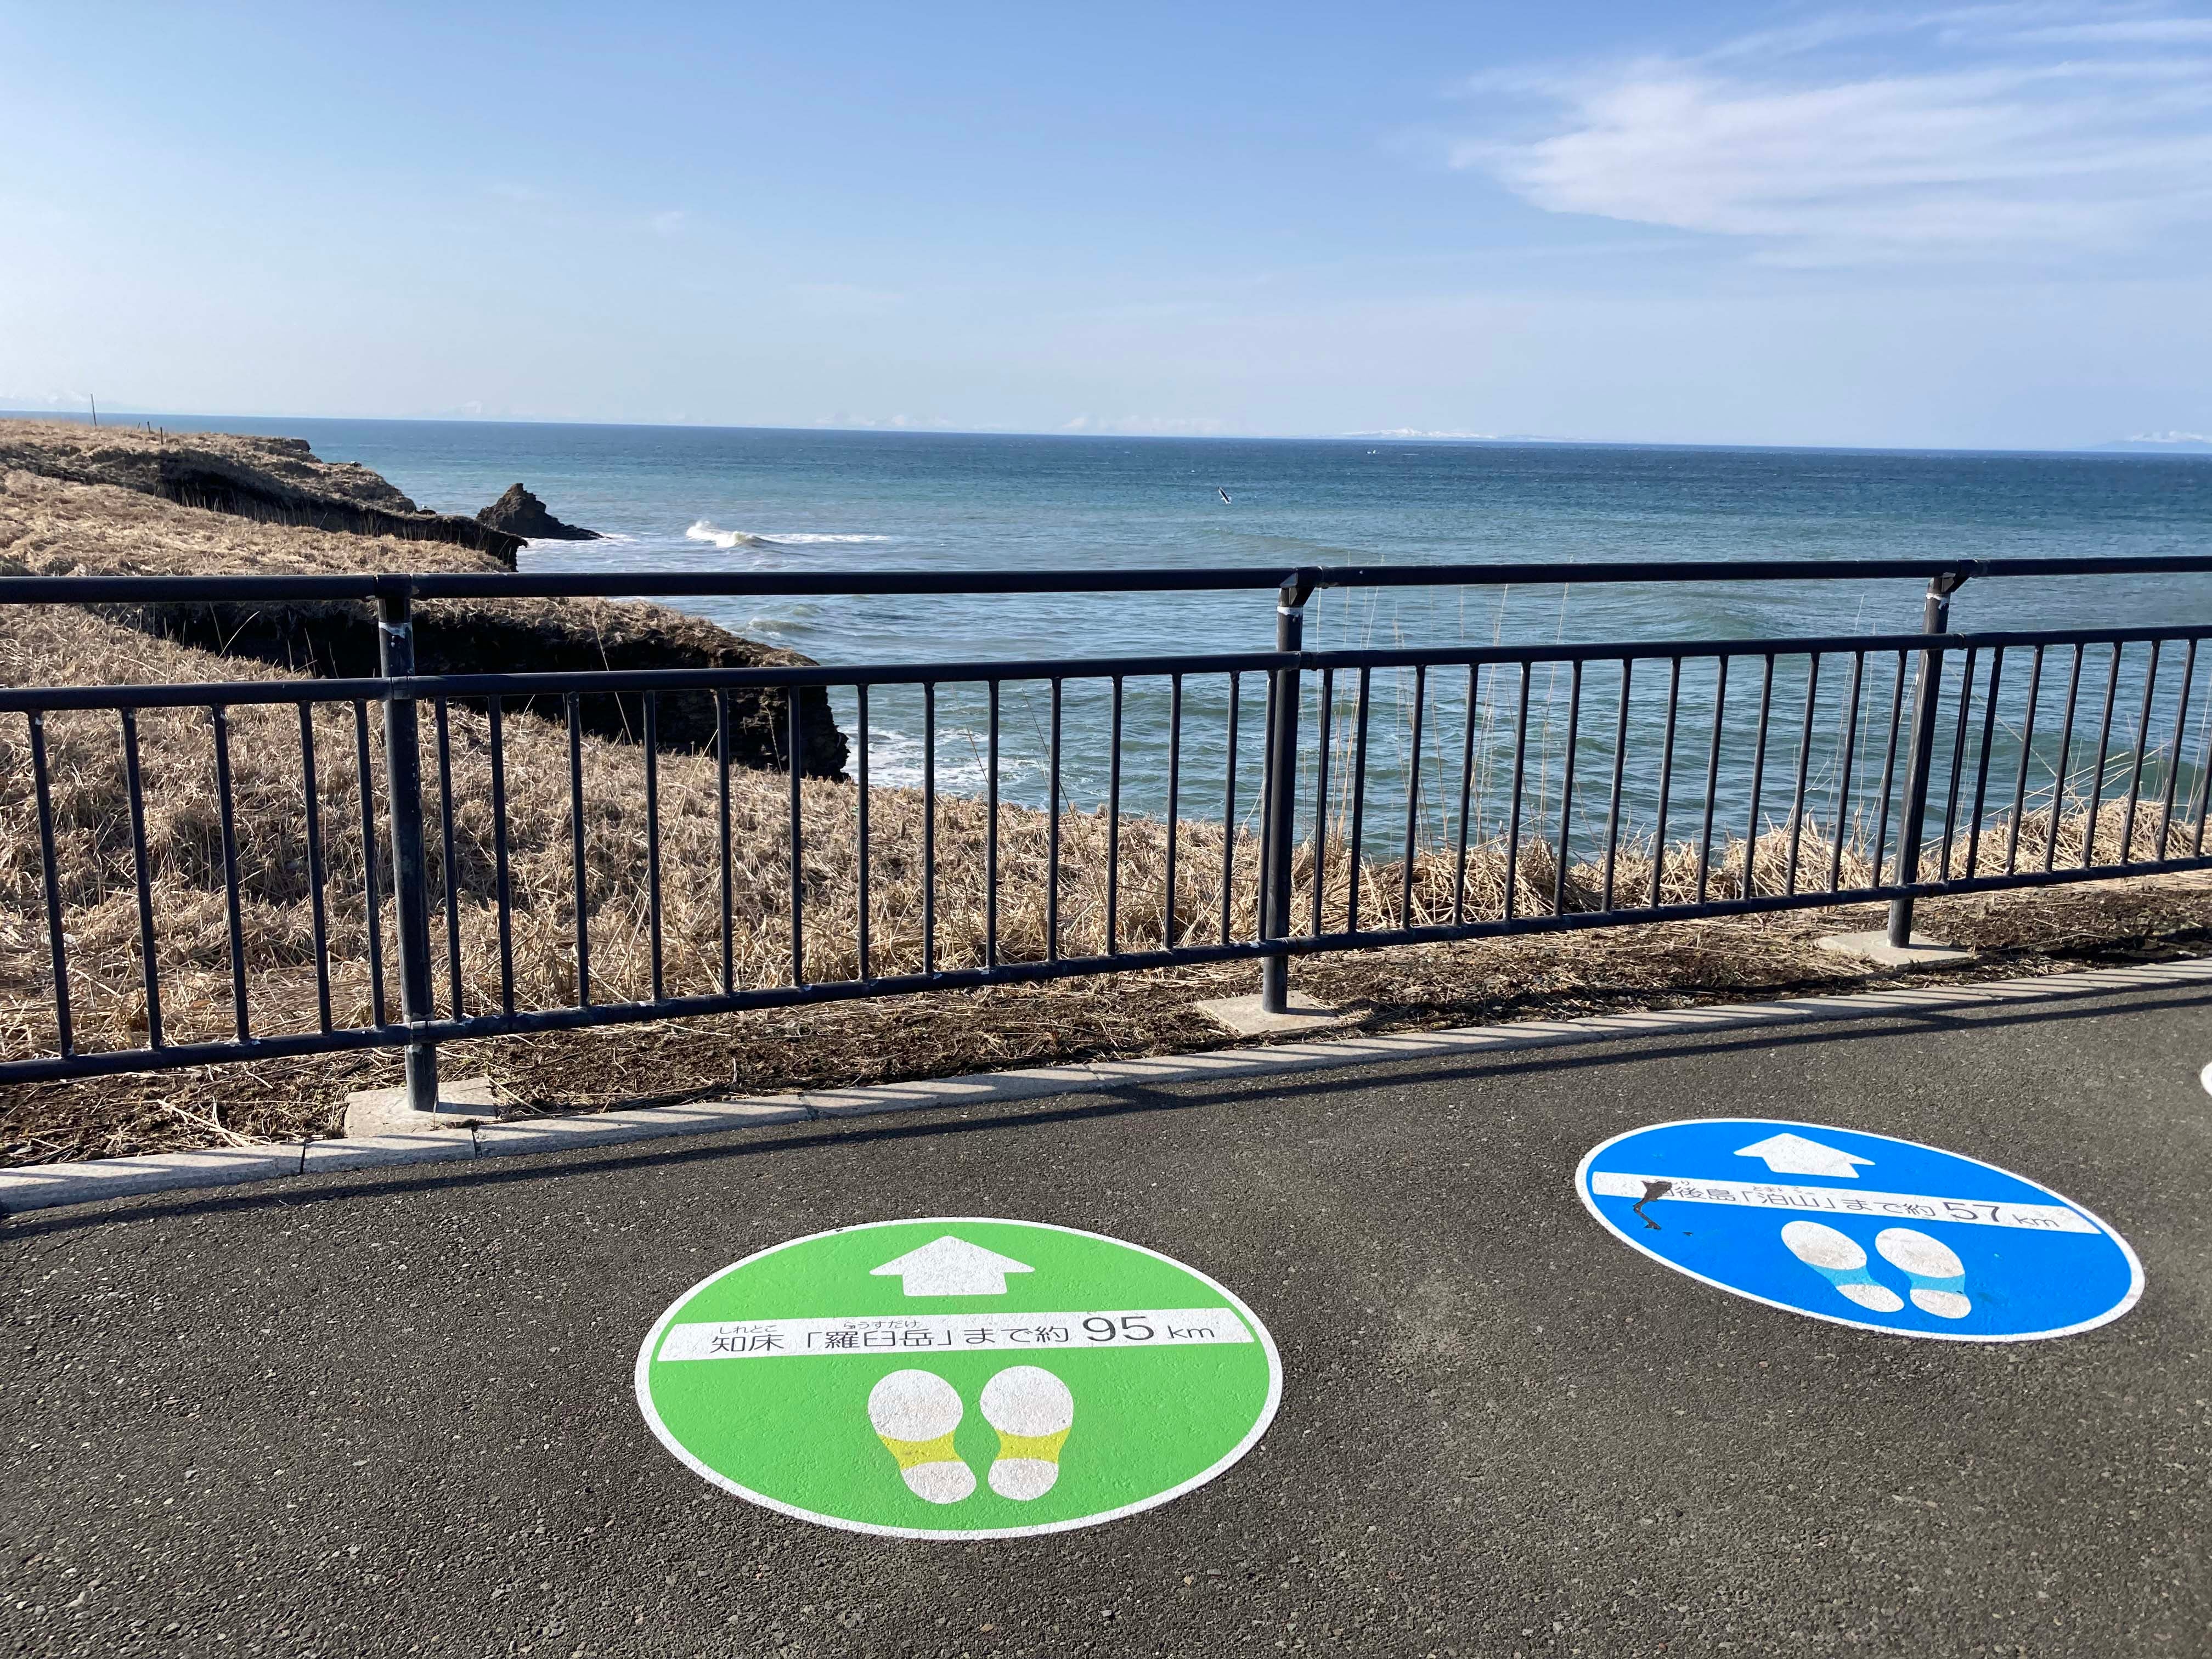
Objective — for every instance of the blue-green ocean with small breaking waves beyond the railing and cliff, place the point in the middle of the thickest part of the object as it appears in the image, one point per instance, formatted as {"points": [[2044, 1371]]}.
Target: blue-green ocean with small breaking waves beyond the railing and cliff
{"points": [[705, 499]]}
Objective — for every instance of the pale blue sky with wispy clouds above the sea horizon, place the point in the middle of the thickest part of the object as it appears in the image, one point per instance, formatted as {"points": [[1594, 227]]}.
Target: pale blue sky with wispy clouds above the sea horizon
{"points": [[1797, 225]]}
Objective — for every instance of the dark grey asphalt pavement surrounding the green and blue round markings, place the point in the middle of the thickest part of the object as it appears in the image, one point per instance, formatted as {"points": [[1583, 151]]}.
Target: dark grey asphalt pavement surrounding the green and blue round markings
{"points": [[393, 1415]]}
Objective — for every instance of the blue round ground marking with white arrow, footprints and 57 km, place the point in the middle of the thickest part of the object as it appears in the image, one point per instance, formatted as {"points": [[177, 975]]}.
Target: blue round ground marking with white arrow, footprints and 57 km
{"points": [[1861, 1231]]}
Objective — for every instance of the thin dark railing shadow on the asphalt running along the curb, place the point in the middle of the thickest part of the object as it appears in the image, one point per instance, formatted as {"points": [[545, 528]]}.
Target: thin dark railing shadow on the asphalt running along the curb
{"points": [[1105, 1105]]}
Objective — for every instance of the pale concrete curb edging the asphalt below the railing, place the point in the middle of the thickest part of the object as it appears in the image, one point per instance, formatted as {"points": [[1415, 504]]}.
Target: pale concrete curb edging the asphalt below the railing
{"points": [[43, 1187]]}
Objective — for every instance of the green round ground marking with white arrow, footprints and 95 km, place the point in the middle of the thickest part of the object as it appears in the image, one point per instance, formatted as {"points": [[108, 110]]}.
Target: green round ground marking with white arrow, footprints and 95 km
{"points": [[959, 1379]]}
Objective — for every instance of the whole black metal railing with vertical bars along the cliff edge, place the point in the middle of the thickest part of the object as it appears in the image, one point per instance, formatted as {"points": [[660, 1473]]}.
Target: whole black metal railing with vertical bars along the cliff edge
{"points": [[227, 886]]}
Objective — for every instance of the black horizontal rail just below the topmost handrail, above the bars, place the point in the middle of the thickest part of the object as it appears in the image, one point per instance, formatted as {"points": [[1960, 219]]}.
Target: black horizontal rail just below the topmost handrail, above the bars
{"points": [[603, 682]]}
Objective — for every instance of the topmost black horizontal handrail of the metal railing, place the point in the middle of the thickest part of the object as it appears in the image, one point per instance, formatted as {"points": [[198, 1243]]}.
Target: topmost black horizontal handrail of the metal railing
{"points": [[1200, 578]]}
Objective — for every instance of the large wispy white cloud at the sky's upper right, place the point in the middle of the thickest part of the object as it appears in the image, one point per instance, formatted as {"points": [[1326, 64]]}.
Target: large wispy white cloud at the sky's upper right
{"points": [[1996, 140]]}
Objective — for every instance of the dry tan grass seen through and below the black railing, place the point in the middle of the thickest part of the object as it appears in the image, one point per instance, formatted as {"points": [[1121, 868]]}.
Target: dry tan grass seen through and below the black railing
{"points": [[773, 1050]]}
